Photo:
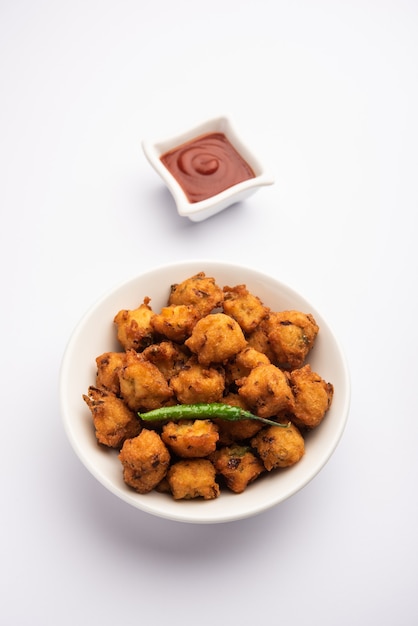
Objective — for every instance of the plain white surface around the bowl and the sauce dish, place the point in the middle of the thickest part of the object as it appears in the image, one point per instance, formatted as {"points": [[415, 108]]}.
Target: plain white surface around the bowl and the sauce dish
{"points": [[326, 93]]}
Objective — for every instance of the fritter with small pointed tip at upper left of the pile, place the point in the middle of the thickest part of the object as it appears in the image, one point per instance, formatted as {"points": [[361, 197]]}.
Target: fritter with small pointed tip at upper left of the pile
{"points": [[134, 328]]}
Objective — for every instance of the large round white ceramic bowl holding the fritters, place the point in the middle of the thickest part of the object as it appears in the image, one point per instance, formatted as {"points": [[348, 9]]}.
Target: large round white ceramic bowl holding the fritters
{"points": [[95, 334]]}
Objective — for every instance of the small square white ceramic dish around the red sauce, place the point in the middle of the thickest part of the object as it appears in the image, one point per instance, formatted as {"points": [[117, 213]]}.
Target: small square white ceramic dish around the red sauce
{"points": [[198, 211]]}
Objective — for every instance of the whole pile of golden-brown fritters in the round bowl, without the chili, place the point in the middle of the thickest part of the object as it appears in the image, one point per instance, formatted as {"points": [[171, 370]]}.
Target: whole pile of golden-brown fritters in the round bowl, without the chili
{"points": [[208, 344]]}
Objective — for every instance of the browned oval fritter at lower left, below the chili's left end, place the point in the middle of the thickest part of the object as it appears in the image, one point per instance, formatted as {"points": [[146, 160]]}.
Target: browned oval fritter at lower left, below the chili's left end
{"points": [[145, 461]]}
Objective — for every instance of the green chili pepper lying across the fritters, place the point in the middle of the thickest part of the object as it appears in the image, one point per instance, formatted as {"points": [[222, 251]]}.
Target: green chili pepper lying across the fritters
{"points": [[203, 410]]}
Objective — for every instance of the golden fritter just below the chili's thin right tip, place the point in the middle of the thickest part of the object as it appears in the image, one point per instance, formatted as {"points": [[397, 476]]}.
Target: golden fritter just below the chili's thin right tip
{"points": [[279, 447]]}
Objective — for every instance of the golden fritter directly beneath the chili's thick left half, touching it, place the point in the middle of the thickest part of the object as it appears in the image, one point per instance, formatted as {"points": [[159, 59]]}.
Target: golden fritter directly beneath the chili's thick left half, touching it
{"points": [[190, 439]]}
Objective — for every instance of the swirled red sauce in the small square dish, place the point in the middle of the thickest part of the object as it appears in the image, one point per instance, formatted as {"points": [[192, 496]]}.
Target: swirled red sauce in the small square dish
{"points": [[206, 165]]}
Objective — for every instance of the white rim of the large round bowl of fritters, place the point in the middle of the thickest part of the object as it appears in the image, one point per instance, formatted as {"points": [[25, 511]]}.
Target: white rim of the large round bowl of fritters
{"points": [[179, 513]]}
